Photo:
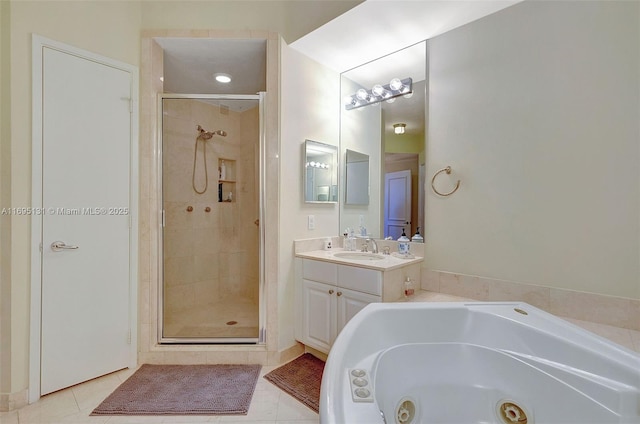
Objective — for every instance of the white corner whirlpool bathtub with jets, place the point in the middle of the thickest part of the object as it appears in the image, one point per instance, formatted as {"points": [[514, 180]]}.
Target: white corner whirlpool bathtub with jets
{"points": [[473, 362]]}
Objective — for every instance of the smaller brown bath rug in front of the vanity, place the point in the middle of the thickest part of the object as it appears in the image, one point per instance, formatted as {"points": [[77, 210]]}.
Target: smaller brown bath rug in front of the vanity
{"points": [[300, 378]]}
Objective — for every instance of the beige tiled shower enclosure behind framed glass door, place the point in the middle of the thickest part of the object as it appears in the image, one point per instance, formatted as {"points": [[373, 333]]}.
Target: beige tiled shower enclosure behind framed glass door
{"points": [[211, 157]]}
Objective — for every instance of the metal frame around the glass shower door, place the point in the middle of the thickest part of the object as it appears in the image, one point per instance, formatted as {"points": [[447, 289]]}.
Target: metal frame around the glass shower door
{"points": [[262, 313]]}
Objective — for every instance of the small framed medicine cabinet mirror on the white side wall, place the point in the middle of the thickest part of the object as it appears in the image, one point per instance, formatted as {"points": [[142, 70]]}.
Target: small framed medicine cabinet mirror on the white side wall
{"points": [[320, 172]]}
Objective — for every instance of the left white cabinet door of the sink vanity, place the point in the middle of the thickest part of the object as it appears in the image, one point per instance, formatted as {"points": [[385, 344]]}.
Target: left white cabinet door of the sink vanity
{"points": [[319, 314]]}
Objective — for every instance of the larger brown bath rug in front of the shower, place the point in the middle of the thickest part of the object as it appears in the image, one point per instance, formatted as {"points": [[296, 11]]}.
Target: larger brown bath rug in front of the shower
{"points": [[184, 390]]}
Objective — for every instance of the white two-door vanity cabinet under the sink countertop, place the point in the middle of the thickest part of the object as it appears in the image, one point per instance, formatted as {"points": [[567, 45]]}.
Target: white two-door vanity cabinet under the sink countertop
{"points": [[329, 296]]}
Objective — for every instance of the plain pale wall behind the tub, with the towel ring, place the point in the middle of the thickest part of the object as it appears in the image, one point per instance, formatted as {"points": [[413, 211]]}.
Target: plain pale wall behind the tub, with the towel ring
{"points": [[536, 109]]}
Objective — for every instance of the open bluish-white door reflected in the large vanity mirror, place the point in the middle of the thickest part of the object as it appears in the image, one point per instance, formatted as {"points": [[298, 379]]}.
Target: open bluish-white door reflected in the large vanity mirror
{"points": [[397, 204]]}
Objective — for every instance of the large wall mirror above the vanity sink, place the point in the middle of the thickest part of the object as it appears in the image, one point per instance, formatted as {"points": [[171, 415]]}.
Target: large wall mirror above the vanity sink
{"points": [[370, 131]]}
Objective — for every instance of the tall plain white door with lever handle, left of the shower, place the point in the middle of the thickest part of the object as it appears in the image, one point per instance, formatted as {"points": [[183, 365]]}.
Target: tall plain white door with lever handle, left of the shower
{"points": [[86, 142]]}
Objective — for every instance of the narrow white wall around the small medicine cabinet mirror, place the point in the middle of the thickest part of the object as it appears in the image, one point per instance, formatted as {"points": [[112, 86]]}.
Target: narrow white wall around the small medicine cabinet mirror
{"points": [[309, 110]]}
